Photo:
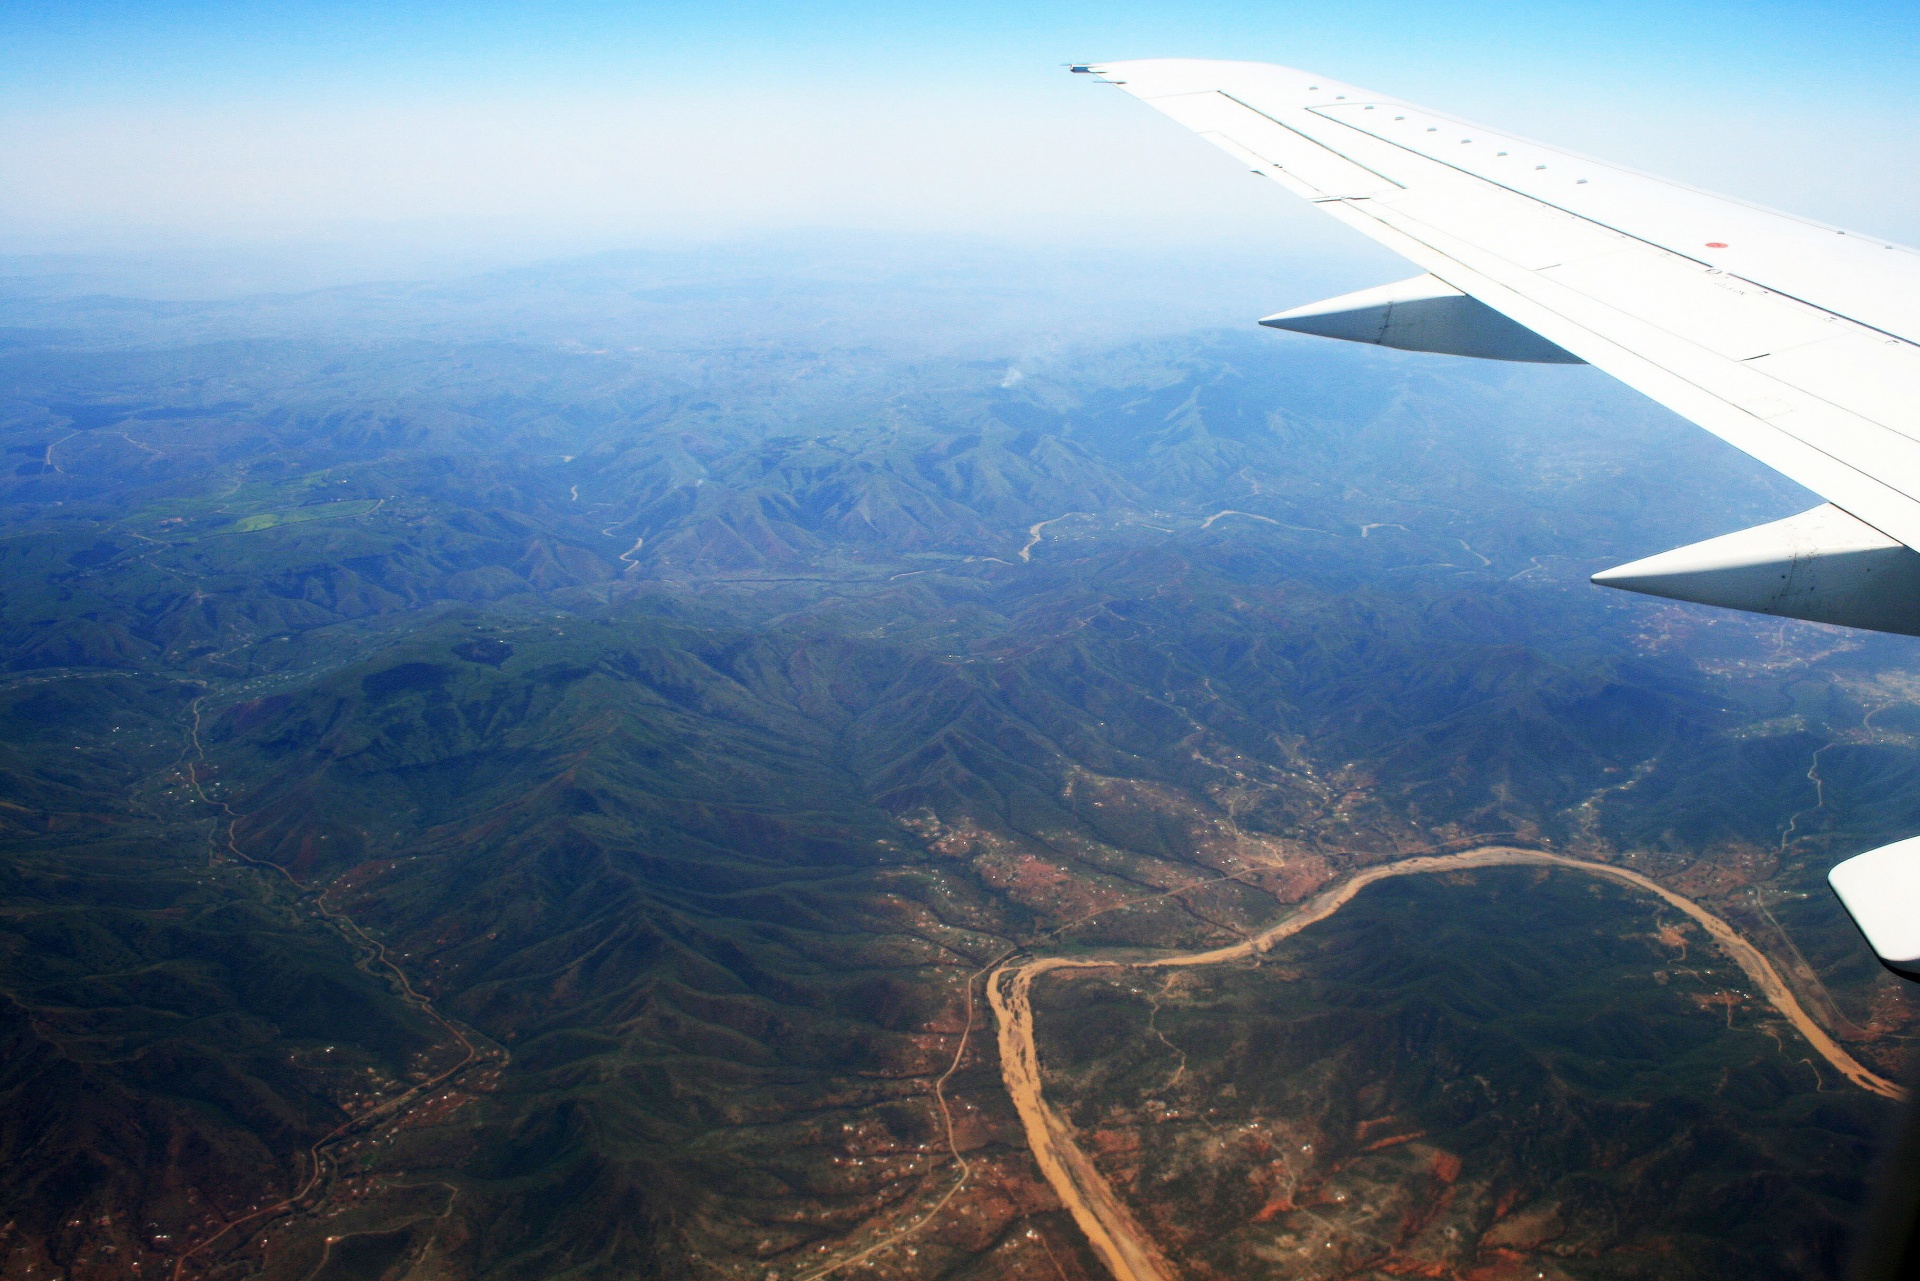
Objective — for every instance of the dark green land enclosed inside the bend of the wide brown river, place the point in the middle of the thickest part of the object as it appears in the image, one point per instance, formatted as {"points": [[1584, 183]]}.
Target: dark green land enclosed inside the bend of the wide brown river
{"points": [[1497, 1075]]}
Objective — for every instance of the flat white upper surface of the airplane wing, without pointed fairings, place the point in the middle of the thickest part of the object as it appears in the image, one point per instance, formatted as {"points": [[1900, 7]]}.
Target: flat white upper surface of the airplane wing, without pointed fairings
{"points": [[1788, 339]]}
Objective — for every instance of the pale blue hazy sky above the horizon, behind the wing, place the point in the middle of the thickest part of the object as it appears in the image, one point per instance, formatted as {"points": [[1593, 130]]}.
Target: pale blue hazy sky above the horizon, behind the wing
{"points": [[592, 126]]}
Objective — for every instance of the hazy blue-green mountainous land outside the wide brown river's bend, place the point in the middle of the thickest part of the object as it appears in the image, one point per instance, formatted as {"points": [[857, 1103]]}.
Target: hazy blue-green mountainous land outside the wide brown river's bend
{"points": [[690, 719]]}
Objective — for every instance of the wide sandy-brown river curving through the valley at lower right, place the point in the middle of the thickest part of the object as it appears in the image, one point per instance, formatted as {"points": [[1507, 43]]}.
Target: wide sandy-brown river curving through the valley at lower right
{"points": [[1115, 1234]]}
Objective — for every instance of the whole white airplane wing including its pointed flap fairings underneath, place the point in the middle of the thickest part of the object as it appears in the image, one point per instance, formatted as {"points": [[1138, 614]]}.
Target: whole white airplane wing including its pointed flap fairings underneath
{"points": [[1792, 341]]}
